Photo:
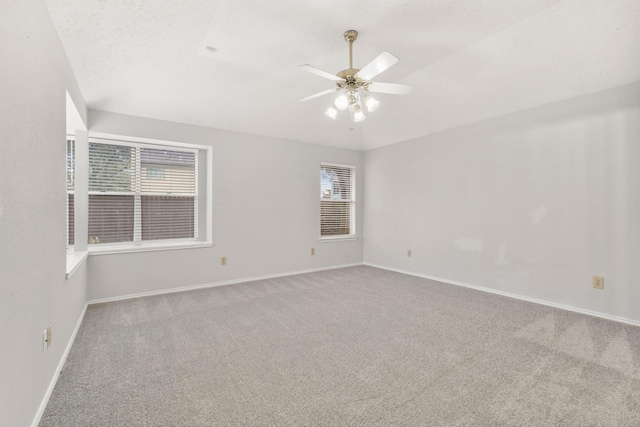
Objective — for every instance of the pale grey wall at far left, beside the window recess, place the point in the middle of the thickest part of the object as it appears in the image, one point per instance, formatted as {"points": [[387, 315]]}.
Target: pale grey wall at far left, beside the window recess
{"points": [[34, 293]]}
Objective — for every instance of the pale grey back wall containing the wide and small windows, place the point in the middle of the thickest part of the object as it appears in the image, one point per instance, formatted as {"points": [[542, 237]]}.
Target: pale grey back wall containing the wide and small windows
{"points": [[266, 213]]}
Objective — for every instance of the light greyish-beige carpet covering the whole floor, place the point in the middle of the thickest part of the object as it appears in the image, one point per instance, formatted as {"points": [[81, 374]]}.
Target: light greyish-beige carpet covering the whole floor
{"points": [[354, 346]]}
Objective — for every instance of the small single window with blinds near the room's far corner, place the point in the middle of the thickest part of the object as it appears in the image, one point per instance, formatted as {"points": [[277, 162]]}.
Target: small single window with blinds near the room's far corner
{"points": [[337, 200]]}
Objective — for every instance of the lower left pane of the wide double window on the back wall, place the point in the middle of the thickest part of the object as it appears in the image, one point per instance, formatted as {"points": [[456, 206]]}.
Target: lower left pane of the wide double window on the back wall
{"points": [[111, 218]]}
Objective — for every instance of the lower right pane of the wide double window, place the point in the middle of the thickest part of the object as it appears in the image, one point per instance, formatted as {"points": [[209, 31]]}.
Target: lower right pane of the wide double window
{"points": [[165, 217]]}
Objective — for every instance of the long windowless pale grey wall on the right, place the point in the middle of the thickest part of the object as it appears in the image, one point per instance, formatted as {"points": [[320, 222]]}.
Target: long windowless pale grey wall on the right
{"points": [[533, 204]]}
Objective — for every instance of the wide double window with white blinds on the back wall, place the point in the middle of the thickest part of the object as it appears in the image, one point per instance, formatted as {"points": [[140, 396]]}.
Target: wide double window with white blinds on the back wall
{"points": [[141, 192]]}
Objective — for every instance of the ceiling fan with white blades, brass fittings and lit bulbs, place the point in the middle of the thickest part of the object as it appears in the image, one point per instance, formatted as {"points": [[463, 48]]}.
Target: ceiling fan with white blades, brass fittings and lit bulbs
{"points": [[355, 84]]}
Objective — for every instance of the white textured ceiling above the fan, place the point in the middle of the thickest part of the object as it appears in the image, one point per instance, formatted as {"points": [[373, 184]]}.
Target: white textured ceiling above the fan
{"points": [[468, 59]]}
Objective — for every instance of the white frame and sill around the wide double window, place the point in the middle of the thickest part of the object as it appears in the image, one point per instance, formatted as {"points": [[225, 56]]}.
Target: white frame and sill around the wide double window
{"points": [[204, 161]]}
